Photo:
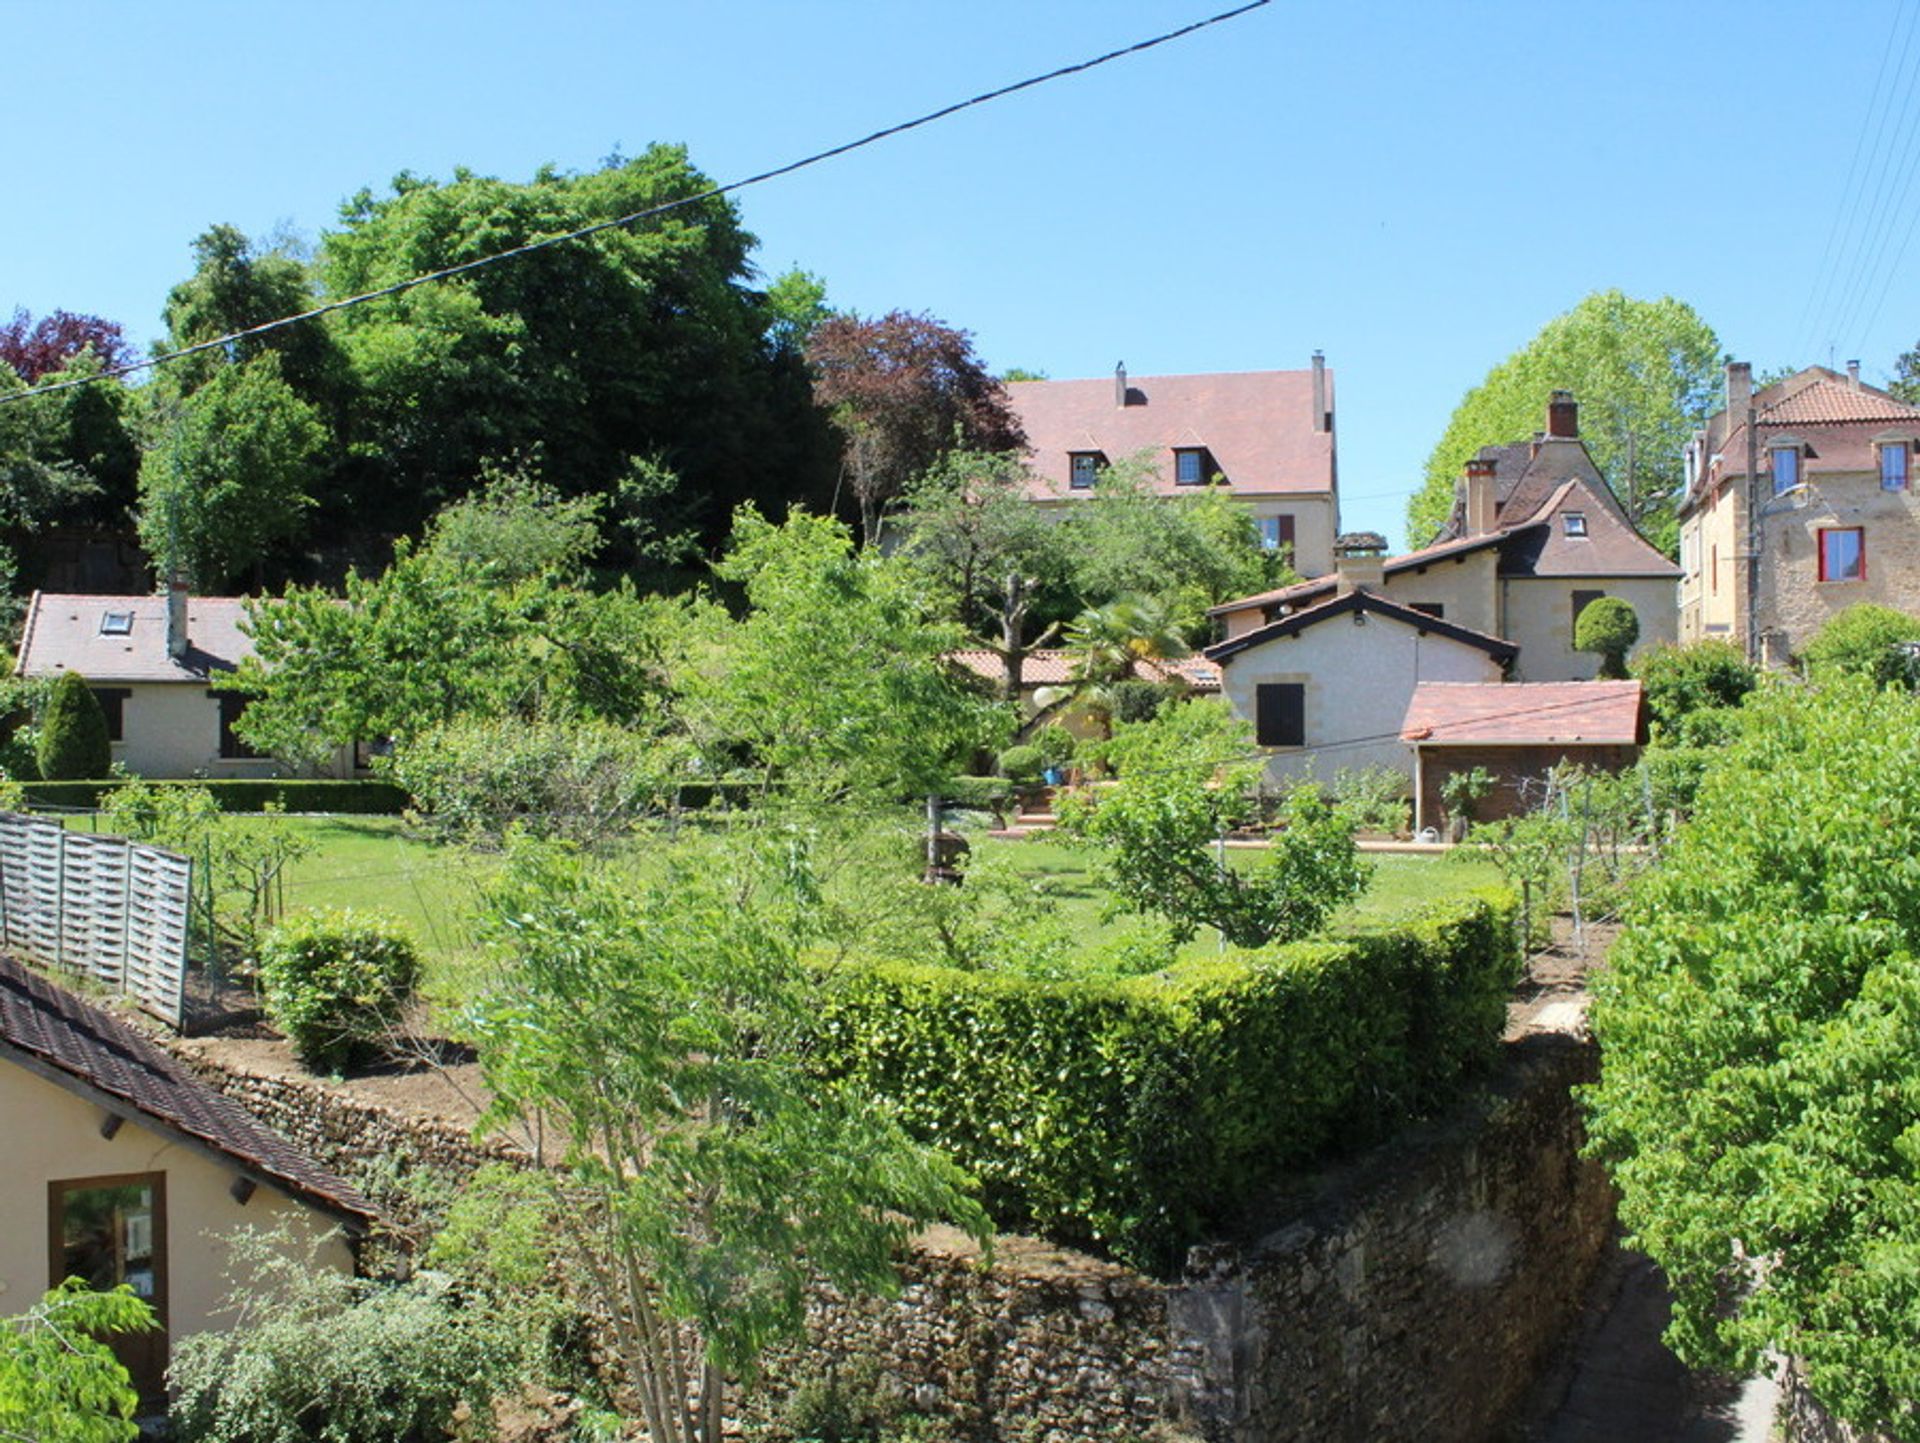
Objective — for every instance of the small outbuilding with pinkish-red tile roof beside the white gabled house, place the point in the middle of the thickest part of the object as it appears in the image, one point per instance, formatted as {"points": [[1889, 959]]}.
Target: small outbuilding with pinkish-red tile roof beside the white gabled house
{"points": [[1518, 732]]}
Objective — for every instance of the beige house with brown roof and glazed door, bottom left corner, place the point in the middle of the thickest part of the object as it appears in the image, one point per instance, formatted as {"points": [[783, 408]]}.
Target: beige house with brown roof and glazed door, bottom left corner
{"points": [[124, 1170]]}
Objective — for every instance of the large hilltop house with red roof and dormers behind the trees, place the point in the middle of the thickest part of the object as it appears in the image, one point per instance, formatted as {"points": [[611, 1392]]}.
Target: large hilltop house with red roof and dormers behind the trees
{"points": [[1266, 437]]}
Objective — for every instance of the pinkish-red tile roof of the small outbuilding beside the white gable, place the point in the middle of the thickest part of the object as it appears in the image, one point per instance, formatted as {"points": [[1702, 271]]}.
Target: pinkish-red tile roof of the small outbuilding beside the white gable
{"points": [[1525, 715]]}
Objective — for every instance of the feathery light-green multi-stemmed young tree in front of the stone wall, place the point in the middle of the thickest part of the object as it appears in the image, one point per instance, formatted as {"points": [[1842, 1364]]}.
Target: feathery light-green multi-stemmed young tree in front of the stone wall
{"points": [[708, 1175]]}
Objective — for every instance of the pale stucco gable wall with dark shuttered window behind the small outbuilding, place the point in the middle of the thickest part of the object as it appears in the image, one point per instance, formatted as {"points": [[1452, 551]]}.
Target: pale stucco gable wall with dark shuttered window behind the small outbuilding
{"points": [[1358, 682]]}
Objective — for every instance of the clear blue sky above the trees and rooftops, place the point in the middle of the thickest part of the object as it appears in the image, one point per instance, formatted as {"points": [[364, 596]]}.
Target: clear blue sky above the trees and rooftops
{"points": [[1410, 187]]}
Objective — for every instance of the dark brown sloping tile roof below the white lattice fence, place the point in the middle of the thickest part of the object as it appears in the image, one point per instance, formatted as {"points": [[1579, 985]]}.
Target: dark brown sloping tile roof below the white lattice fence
{"points": [[87, 1051]]}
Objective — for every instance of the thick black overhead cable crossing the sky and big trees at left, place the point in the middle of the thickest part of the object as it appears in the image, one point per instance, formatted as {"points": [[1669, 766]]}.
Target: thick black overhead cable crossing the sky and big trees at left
{"points": [[711, 193]]}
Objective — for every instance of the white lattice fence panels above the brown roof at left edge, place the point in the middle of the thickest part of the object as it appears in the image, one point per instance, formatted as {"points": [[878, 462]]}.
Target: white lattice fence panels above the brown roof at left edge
{"points": [[101, 907]]}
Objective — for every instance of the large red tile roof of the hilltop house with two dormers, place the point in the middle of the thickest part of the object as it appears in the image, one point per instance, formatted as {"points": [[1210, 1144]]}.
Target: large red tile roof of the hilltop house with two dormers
{"points": [[1257, 427]]}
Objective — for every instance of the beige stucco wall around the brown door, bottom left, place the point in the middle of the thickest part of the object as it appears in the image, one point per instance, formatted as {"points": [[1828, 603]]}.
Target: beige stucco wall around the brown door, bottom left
{"points": [[53, 1137]]}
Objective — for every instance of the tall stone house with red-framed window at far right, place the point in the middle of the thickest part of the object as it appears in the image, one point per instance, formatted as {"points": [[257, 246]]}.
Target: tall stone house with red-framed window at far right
{"points": [[1800, 502]]}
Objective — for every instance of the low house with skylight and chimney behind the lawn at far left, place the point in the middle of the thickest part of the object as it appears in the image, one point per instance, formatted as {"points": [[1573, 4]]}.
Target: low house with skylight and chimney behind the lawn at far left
{"points": [[151, 661]]}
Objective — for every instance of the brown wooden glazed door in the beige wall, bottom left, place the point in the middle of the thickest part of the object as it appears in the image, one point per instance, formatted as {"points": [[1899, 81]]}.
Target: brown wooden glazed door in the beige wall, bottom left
{"points": [[114, 1231]]}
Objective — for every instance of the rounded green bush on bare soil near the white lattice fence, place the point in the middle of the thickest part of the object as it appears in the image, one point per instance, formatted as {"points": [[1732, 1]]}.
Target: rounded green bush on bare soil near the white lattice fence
{"points": [[335, 983]]}
